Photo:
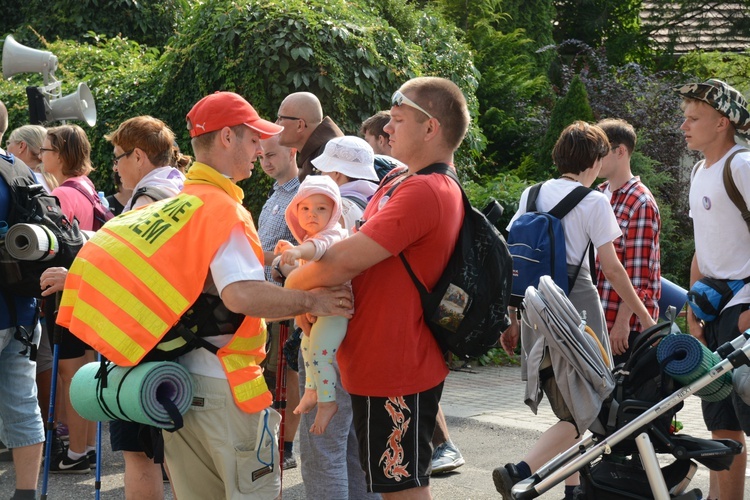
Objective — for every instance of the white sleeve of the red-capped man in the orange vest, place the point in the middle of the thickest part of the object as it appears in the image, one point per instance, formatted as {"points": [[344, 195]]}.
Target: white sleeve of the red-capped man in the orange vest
{"points": [[236, 261]]}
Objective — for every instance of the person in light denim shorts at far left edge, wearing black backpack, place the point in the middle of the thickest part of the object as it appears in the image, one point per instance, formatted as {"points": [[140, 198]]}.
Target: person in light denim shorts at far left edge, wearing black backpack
{"points": [[22, 430]]}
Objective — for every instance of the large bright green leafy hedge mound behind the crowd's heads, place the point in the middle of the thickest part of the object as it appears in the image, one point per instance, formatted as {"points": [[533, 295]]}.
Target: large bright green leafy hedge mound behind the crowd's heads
{"points": [[352, 59]]}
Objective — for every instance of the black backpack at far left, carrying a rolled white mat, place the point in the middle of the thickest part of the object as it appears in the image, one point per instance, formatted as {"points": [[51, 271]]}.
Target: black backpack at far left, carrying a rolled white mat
{"points": [[31, 204]]}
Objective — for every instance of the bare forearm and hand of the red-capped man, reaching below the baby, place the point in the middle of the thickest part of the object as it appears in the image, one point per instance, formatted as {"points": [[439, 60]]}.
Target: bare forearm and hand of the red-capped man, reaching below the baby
{"points": [[261, 299]]}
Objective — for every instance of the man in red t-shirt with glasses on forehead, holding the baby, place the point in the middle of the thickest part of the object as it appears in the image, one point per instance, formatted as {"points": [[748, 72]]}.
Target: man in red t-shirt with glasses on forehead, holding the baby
{"points": [[390, 362]]}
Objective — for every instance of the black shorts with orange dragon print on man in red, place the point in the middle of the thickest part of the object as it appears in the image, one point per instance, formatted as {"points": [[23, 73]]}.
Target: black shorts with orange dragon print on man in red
{"points": [[394, 436]]}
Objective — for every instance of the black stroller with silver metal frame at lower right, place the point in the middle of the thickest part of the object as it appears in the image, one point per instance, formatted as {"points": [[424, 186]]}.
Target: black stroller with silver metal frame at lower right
{"points": [[618, 459]]}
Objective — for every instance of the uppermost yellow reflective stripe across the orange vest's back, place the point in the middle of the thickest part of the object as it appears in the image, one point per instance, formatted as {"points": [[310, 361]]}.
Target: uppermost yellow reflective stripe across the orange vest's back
{"points": [[141, 269]]}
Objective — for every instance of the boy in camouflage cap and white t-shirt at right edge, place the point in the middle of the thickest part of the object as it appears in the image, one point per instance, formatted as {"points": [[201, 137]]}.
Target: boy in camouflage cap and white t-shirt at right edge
{"points": [[714, 113]]}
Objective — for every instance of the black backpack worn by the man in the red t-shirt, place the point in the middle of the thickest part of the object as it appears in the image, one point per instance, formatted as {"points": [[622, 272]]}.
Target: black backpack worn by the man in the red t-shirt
{"points": [[467, 310]]}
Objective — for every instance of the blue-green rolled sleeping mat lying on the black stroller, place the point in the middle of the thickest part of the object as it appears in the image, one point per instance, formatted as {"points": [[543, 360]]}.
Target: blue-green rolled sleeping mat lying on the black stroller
{"points": [[686, 360]]}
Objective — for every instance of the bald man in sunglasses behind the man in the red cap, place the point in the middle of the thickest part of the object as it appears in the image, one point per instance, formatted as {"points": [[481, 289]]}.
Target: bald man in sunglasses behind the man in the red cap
{"points": [[305, 128]]}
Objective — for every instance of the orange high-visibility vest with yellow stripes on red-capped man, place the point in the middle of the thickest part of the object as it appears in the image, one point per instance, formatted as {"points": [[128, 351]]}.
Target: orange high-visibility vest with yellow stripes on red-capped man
{"points": [[134, 279]]}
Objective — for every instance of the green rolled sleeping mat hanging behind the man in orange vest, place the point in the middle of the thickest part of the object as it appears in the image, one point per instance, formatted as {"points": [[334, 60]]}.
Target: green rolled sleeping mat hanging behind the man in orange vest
{"points": [[156, 393]]}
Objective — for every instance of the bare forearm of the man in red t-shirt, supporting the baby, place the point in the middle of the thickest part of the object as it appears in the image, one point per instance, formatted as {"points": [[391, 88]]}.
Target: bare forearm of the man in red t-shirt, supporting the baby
{"points": [[342, 262]]}
